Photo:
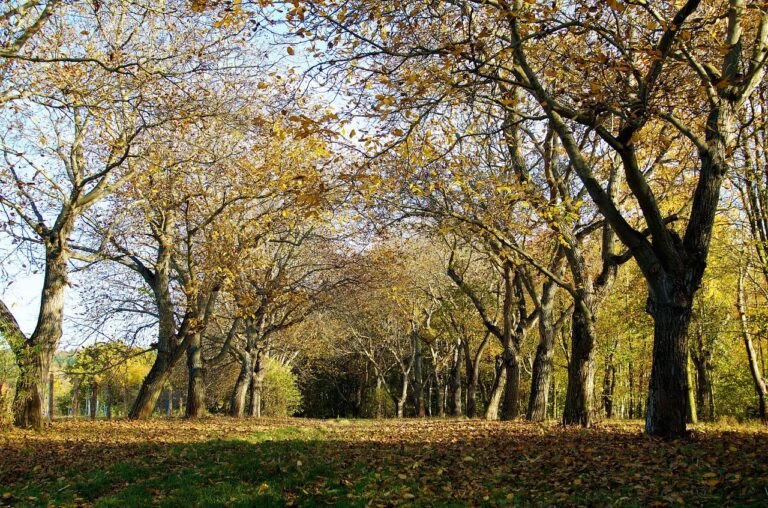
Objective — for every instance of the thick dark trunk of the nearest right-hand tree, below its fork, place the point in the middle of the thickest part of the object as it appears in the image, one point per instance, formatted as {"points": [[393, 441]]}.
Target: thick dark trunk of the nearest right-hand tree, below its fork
{"points": [[667, 406]]}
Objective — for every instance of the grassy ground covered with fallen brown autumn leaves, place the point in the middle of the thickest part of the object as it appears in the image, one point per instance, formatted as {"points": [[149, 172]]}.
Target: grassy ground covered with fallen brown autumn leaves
{"points": [[269, 462]]}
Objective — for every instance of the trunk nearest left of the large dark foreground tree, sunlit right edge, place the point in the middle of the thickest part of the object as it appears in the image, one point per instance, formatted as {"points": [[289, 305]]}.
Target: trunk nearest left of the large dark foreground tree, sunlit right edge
{"points": [[578, 408]]}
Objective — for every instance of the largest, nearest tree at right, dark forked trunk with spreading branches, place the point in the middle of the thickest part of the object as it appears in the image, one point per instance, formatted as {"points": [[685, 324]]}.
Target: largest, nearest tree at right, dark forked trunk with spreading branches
{"points": [[540, 49]]}
